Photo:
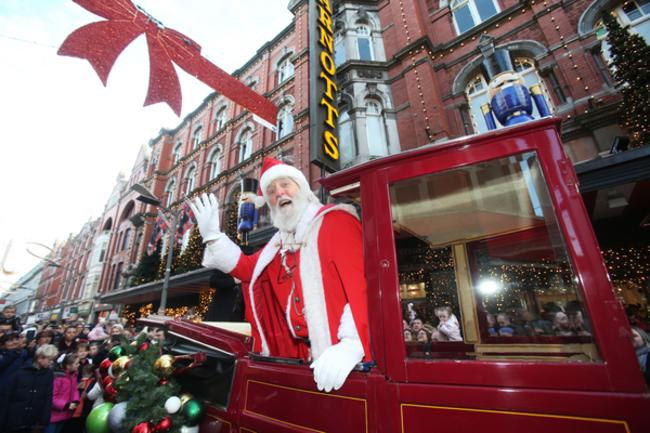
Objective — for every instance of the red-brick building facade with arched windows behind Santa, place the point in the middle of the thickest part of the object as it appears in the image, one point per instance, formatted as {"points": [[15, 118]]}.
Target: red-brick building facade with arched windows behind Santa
{"points": [[408, 76]]}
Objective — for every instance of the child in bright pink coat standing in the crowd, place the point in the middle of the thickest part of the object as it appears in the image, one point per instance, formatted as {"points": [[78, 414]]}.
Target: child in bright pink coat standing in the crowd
{"points": [[65, 395]]}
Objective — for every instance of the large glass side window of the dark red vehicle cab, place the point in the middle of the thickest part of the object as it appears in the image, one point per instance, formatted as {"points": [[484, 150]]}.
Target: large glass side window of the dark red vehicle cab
{"points": [[484, 267]]}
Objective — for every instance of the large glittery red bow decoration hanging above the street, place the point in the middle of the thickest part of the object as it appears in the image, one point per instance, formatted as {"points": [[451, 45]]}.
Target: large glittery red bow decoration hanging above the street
{"points": [[102, 42]]}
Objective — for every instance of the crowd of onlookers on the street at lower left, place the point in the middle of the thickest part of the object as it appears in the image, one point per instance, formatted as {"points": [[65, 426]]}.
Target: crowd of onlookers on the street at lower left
{"points": [[47, 372]]}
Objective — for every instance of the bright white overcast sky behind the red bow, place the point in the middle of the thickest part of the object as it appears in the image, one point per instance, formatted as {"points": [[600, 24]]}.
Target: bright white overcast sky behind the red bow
{"points": [[65, 137]]}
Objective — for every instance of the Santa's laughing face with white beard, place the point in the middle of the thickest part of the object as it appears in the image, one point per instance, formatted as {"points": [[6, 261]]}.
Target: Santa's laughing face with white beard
{"points": [[287, 203]]}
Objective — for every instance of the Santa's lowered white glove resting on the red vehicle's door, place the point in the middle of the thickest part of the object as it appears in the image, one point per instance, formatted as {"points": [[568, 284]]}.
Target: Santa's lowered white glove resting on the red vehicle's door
{"points": [[335, 364]]}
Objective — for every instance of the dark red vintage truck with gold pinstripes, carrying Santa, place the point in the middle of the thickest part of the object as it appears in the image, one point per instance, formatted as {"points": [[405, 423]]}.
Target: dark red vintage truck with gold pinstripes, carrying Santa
{"points": [[489, 229]]}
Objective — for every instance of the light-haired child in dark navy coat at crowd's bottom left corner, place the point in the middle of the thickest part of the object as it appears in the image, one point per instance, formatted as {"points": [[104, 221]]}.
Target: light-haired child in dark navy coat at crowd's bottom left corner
{"points": [[26, 398]]}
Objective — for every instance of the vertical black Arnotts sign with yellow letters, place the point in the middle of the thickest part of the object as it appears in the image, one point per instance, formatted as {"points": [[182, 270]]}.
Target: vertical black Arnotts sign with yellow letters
{"points": [[323, 112]]}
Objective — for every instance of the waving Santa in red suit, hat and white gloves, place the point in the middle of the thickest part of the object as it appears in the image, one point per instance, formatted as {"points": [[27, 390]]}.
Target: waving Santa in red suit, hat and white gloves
{"points": [[305, 291]]}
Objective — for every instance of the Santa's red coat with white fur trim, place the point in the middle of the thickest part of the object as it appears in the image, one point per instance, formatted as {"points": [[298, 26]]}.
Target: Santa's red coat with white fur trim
{"points": [[331, 275]]}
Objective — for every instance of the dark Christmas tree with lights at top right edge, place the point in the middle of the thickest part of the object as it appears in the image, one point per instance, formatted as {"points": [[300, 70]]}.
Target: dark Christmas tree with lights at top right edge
{"points": [[631, 59]]}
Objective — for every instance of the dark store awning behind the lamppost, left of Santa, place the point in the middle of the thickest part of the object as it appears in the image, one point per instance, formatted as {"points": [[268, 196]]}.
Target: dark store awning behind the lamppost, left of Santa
{"points": [[192, 282]]}
